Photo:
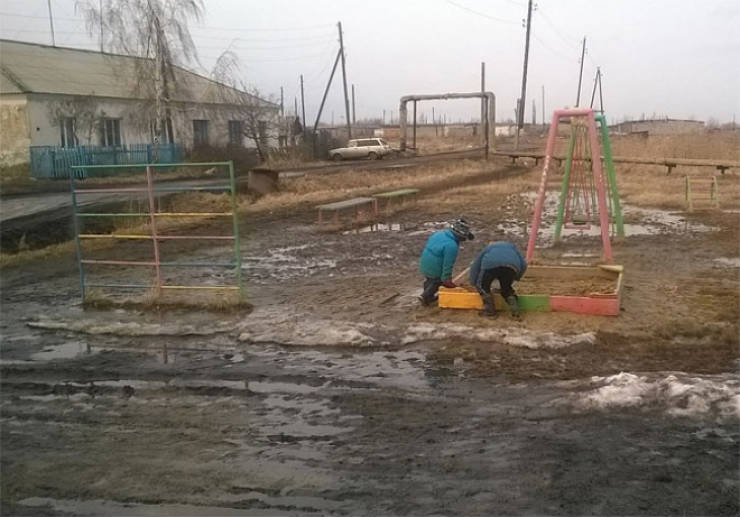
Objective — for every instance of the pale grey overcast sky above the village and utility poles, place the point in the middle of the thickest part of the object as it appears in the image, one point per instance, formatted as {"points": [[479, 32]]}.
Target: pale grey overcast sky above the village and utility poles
{"points": [[675, 58]]}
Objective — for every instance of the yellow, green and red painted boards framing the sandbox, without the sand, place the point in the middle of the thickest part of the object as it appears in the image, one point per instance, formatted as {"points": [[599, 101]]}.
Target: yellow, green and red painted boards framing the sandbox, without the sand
{"points": [[602, 304]]}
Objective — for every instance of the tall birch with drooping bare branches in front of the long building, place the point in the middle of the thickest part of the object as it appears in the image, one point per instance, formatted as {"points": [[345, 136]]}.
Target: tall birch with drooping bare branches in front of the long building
{"points": [[155, 30]]}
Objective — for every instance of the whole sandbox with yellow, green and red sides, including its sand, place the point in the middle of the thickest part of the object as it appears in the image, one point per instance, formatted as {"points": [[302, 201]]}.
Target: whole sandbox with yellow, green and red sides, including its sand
{"points": [[578, 289]]}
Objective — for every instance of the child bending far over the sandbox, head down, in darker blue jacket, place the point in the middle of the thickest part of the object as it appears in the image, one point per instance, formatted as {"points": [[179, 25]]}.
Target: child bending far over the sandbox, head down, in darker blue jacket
{"points": [[498, 261]]}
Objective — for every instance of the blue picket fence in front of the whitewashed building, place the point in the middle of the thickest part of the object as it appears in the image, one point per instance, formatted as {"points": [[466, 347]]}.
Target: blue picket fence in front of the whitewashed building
{"points": [[51, 162]]}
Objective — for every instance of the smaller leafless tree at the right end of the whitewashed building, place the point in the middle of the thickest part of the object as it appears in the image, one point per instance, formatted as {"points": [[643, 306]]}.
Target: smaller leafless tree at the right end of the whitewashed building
{"points": [[258, 115]]}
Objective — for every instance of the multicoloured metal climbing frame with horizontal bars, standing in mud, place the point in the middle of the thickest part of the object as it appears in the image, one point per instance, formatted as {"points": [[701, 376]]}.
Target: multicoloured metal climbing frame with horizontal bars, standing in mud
{"points": [[152, 215]]}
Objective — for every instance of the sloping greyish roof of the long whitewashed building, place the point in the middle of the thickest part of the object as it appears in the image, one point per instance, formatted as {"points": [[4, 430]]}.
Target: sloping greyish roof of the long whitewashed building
{"points": [[36, 68]]}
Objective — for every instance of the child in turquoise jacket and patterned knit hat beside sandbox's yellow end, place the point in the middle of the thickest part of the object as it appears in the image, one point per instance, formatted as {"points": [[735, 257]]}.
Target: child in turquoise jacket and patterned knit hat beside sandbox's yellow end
{"points": [[438, 258]]}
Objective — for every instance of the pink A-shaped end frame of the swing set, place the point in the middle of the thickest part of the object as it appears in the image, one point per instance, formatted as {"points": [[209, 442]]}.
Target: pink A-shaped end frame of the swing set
{"points": [[599, 180]]}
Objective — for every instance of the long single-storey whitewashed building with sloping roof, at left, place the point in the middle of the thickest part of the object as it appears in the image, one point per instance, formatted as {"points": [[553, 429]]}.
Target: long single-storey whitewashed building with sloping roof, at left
{"points": [[64, 98]]}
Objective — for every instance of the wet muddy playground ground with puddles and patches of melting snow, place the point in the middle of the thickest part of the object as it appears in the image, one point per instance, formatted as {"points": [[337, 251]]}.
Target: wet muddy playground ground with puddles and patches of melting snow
{"points": [[337, 394]]}
